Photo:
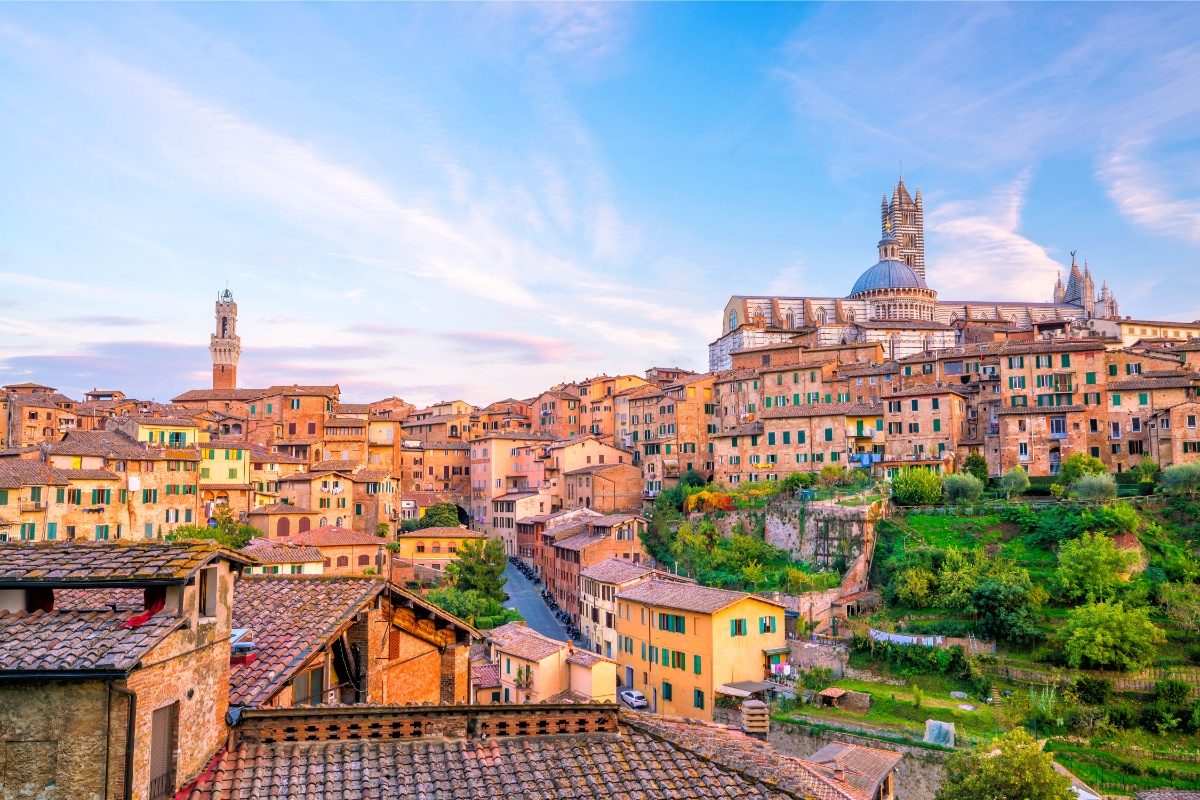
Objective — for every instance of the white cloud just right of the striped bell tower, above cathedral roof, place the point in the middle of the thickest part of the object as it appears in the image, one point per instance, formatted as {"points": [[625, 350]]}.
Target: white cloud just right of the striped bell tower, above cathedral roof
{"points": [[981, 252]]}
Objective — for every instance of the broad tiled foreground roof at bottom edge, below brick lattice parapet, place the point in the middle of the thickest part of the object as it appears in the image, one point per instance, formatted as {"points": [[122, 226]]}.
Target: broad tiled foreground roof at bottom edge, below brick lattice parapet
{"points": [[643, 760]]}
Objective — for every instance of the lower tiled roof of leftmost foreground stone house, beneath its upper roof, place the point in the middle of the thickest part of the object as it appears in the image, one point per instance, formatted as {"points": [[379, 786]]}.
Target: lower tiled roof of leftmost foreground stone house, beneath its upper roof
{"points": [[79, 641]]}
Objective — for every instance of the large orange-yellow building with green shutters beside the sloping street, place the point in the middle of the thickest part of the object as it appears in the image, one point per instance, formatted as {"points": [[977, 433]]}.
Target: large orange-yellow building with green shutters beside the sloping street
{"points": [[682, 645]]}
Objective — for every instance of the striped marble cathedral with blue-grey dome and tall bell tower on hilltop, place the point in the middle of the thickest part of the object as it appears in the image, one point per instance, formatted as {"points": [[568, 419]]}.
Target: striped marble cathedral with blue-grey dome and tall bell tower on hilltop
{"points": [[892, 304]]}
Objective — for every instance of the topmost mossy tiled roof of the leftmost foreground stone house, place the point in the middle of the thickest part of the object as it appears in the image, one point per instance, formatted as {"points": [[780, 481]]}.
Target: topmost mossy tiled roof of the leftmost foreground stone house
{"points": [[134, 563]]}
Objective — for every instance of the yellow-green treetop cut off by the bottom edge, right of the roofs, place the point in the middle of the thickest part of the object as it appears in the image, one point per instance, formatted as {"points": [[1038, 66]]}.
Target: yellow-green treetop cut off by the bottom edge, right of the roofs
{"points": [[1013, 768]]}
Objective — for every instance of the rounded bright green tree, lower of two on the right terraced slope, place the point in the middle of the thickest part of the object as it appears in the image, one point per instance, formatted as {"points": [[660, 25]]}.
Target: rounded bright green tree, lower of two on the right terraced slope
{"points": [[1111, 636]]}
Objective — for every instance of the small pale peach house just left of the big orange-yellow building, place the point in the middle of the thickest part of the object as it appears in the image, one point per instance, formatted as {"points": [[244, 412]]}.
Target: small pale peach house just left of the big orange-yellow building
{"points": [[536, 669]]}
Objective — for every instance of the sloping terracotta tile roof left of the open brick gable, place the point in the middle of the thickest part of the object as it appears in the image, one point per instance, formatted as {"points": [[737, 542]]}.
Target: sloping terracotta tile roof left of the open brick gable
{"points": [[290, 618]]}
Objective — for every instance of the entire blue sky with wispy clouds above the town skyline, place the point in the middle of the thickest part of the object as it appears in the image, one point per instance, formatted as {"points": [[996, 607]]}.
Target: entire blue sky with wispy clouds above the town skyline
{"points": [[479, 201]]}
